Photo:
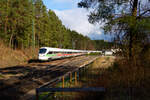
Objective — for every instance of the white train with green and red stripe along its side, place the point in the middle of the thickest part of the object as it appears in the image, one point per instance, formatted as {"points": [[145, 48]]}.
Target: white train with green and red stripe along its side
{"points": [[49, 53]]}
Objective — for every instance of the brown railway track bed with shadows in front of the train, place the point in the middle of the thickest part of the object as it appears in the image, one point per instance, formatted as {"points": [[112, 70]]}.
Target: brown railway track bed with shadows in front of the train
{"points": [[30, 76]]}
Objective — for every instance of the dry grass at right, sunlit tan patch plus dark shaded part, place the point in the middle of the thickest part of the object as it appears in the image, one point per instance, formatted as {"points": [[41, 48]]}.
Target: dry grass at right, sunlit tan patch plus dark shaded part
{"points": [[123, 80]]}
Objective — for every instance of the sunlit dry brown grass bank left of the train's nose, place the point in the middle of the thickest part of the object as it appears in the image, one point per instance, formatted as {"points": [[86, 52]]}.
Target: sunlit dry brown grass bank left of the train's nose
{"points": [[10, 57]]}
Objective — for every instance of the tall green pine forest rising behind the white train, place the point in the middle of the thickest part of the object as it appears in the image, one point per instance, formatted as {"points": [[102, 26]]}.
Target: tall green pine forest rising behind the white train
{"points": [[28, 23]]}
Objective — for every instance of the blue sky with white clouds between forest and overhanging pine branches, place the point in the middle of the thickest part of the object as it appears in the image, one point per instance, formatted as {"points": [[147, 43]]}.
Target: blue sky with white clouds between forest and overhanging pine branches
{"points": [[75, 18]]}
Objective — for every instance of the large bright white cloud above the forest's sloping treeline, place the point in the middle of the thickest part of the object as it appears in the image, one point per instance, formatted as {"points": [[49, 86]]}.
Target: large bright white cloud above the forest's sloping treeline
{"points": [[77, 19]]}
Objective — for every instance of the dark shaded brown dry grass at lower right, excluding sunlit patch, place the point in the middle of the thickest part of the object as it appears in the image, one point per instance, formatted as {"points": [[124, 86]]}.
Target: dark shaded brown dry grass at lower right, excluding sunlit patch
{"points": [[125, 81]]}
